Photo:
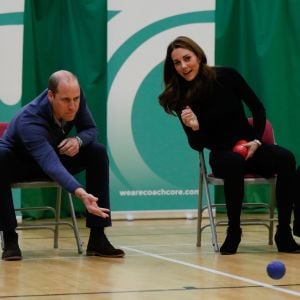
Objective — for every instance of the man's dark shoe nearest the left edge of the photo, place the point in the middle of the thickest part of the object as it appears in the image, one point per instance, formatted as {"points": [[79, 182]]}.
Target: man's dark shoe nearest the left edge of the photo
{"points": [[11, 249]]}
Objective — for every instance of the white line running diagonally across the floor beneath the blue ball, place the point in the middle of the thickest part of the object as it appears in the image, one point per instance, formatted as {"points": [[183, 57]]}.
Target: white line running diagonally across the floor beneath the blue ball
{"points": [[254, 282]]}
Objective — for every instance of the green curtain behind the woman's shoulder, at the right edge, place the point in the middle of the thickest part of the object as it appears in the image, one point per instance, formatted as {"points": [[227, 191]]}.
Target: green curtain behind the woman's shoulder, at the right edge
{"points": [[261, 38]]}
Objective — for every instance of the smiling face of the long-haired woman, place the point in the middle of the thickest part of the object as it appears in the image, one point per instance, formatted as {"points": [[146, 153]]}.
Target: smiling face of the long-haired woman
{"points": [[186, 63]]}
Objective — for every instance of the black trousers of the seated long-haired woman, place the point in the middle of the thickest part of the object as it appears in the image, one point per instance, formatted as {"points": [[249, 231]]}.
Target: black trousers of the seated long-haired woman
{"points": [[267, 160]]}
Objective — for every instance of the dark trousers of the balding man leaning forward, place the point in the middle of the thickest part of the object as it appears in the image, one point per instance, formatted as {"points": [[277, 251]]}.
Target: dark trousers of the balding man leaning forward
{"points": [[91, 158]]}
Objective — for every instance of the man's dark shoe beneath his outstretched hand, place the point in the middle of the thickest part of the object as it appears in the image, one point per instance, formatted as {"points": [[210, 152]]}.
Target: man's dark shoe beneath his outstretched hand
{"points": [[99, 245]]}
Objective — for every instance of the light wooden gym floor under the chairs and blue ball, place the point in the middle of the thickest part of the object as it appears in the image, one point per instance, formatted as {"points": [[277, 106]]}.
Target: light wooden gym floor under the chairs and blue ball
{"points": [[162, 262]]}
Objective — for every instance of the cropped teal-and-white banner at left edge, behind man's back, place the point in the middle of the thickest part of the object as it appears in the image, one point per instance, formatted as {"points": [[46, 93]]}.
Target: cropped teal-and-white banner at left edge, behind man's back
{"points": [[11, 52]]}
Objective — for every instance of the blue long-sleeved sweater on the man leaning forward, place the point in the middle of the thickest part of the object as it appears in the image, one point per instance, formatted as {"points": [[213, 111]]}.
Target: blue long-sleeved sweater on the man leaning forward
{"points": [[34, 133]]}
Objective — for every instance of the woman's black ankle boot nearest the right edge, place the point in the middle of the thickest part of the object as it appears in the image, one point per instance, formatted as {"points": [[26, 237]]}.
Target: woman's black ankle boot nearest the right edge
{"points": [[284, 240]]}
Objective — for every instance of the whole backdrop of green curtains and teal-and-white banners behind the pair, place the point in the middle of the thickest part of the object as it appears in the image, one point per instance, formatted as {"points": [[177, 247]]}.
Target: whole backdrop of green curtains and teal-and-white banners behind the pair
{"points": [[117, 47]]}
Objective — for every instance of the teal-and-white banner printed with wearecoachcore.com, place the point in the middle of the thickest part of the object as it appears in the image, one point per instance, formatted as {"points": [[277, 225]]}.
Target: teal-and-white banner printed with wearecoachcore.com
{"points": [[152, 166]]}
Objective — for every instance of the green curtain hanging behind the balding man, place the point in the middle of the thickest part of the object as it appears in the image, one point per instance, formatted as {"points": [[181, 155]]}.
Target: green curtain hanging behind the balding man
{"points": [[67, 35]]}
